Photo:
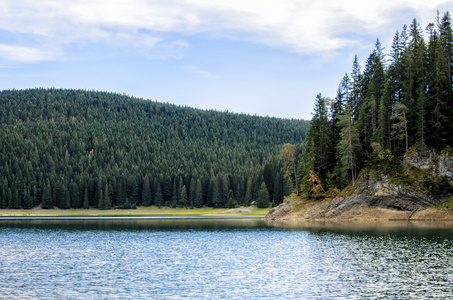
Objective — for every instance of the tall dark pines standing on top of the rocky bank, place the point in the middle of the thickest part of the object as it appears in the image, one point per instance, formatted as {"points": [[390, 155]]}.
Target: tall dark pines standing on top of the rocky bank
{"points": [[400, 101]]}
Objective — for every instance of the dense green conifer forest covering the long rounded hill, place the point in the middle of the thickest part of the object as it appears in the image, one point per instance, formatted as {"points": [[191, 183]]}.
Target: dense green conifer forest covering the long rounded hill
{"points": [[74, 149]]}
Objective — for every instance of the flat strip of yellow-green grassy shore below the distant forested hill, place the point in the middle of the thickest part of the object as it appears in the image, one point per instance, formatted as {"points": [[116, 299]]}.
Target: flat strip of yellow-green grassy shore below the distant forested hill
{"points": [[140, 211]]}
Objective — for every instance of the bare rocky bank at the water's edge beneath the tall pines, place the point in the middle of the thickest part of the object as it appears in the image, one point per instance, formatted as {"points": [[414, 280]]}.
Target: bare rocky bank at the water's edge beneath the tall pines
{"points": [[426, 182]]}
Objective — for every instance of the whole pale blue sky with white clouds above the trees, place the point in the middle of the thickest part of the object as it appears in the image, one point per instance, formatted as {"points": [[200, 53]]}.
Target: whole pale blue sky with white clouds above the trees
{"points": [[263, 57]]}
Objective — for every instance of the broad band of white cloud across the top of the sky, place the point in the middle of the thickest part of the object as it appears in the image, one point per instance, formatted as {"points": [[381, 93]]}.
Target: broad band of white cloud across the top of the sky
{"points": [[303, 26]]}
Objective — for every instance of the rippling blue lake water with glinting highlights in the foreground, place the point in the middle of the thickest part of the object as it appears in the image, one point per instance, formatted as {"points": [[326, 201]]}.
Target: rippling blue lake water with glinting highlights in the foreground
{"points": [[222, 259]]}
